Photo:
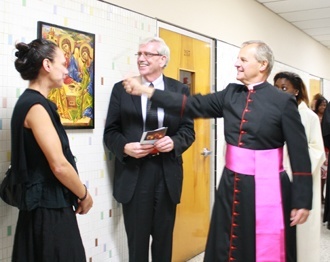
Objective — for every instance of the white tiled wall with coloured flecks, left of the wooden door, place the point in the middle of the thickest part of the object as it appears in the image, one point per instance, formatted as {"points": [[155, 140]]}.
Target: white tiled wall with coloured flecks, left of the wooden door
{"points": [[118, 32]]}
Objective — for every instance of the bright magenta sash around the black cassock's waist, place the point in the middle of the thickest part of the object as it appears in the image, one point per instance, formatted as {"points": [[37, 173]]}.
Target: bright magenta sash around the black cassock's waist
{"points": [[265, 165]]}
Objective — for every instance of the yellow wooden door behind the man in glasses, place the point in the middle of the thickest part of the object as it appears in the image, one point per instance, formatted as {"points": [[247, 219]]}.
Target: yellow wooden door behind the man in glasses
{"points": [[190, 63]]}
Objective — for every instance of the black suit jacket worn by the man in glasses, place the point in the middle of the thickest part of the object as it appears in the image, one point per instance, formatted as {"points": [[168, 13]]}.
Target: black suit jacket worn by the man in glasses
{"points": [[124, 124]]}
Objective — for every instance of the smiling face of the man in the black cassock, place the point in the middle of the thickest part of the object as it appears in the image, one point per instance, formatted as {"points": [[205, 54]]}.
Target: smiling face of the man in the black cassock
{"points": [[249, 69]]}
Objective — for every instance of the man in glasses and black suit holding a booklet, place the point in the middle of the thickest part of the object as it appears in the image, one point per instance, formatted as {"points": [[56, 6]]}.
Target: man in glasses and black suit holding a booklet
{"points": [[148, 178]]}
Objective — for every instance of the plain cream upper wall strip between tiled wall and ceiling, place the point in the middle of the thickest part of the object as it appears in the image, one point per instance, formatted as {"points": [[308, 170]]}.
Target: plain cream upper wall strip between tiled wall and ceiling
{"points": [[235, 21]]}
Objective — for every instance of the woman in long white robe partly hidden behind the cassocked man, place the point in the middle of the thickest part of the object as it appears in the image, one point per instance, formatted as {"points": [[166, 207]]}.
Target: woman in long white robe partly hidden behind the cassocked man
{"points": [[309, 233]]}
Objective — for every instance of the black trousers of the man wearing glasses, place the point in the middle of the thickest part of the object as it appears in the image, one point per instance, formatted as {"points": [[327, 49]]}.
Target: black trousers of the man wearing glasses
{"points": [[151, 212]]}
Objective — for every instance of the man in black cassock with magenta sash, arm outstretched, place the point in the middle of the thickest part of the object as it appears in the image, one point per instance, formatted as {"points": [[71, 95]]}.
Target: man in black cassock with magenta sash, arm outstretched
{"points": [[256, 207]]}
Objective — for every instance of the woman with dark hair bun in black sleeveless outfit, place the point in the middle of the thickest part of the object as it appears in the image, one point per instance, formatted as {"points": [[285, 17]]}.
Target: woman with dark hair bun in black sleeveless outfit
{"points": [[47, 228]]}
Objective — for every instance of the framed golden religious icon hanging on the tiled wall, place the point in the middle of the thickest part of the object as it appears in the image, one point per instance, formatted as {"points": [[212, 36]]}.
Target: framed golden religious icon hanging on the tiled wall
{"points": [[75, 99]]}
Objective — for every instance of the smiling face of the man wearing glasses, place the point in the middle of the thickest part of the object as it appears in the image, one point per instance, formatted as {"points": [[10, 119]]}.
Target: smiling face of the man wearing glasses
{"points": [[150, 67]]}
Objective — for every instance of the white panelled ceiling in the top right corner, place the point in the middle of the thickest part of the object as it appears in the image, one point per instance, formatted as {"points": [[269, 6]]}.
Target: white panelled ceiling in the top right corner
{"points": [[310, 16]]}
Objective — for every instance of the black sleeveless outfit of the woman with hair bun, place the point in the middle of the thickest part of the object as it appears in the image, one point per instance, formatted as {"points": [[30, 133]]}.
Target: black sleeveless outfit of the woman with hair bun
{"points": [[47, 228]]}
